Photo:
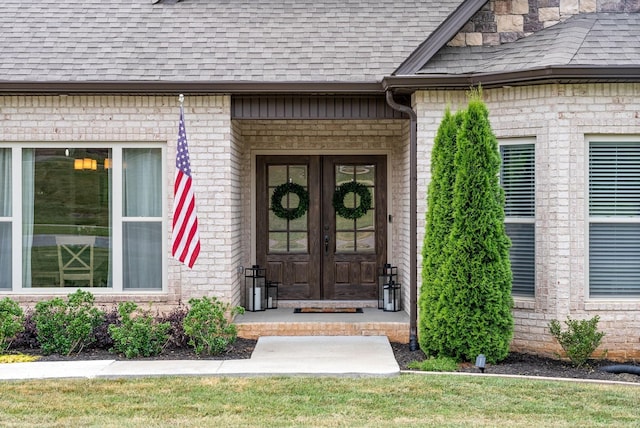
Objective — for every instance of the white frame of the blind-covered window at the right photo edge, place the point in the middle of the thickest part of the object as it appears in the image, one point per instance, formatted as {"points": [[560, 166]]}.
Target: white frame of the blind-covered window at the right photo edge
{"points": [[604, 219]]}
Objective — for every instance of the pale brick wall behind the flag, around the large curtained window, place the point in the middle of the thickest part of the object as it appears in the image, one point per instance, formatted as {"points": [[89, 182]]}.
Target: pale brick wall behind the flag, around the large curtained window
{"points": [[214, 159]]}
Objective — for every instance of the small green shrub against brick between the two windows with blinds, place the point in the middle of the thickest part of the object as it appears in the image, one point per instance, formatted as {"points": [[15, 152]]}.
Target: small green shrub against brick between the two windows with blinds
{"points": [[580, 340]]}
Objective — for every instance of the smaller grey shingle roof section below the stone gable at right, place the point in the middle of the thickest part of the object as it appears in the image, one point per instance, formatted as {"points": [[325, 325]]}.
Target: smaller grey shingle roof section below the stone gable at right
{"points": [[589, 40]]}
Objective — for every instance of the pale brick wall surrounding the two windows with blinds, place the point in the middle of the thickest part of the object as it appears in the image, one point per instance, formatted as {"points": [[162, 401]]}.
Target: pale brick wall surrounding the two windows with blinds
{"points": [[557, 118]]}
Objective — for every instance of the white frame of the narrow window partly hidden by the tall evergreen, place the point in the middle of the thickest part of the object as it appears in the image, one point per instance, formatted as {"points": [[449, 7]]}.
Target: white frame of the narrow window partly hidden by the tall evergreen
{"points": [[524, 220]]}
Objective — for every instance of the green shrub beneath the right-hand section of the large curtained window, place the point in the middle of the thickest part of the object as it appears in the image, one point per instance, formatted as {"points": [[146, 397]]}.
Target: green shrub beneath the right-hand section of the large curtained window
{"points": [[138, 335]]}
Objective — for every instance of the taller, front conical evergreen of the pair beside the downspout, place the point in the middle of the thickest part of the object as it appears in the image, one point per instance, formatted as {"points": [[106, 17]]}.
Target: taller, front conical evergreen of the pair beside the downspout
{"points": [[472, 298]]}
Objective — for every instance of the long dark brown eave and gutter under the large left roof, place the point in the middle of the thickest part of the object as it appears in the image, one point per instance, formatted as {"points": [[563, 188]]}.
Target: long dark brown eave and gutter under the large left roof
{"points": [[172, 87]]}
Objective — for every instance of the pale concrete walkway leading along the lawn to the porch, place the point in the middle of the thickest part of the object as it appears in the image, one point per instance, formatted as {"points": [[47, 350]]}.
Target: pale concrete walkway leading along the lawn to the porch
{"points": [[273, 355]]}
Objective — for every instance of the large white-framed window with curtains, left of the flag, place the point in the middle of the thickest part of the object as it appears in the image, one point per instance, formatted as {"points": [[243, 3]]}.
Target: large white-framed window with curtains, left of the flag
{"points": [[73, 232]]}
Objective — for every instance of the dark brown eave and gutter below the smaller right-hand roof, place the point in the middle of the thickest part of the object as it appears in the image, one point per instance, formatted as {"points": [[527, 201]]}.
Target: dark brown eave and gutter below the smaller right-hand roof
{"points": [[552, 74]]}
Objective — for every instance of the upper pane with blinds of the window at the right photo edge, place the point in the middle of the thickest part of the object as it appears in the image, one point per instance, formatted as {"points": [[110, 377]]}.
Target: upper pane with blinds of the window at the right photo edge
{"points": [[614, 179]]}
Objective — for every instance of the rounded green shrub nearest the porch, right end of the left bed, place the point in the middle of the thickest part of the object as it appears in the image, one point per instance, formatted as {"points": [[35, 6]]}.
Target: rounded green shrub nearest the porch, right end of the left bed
{"points": [[207, 325]]}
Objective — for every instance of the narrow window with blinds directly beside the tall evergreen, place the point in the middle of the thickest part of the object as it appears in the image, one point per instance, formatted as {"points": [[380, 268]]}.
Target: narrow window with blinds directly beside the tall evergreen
{"points": [[517, 177]]}
